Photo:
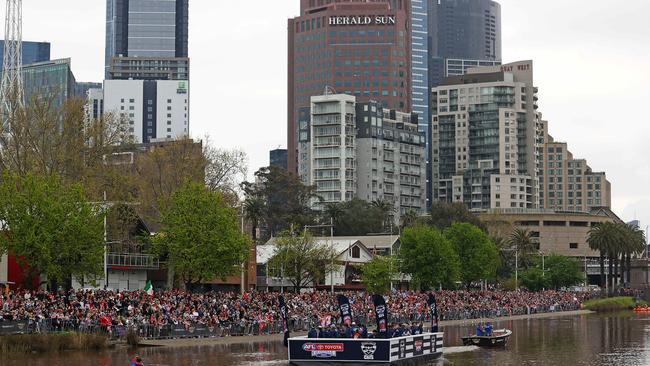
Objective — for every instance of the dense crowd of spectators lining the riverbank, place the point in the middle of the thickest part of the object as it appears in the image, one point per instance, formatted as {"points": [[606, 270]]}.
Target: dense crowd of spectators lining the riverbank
{"points": [[224, 310]]}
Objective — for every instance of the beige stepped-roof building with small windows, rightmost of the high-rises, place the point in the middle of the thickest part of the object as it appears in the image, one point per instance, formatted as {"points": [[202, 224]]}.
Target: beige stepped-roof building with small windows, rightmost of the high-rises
{"points": [[568, 183]]}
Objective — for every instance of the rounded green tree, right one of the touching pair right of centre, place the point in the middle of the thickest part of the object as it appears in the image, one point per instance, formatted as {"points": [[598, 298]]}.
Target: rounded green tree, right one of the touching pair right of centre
{"points": [[478, 255]]}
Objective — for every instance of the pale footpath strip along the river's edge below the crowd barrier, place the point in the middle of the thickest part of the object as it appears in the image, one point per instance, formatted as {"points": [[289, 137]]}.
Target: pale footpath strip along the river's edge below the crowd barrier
{"points": [[195, 342]]}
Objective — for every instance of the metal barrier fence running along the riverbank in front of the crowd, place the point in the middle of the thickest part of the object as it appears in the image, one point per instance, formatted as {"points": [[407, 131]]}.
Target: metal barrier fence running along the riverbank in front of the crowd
{"points": [[241, 328]]}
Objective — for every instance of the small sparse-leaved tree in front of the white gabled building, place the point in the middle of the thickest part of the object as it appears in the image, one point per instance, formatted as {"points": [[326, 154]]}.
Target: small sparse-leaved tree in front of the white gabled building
{"points": [[301, 260]]}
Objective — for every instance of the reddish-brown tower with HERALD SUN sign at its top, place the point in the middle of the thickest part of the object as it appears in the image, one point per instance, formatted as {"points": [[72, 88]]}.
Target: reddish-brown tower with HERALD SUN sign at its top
{"points": [[359, 48]]}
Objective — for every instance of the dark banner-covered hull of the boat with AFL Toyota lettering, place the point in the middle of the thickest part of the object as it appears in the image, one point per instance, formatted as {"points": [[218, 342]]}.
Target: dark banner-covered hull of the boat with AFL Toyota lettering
{"points": [[305, 351]]}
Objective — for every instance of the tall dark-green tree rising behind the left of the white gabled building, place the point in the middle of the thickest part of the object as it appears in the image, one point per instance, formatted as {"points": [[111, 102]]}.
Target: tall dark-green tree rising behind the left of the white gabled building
{"points": [[287, 200]]}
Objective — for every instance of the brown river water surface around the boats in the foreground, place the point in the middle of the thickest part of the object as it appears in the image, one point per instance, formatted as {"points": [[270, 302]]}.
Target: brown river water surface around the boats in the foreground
{"points": [[595, 340]]}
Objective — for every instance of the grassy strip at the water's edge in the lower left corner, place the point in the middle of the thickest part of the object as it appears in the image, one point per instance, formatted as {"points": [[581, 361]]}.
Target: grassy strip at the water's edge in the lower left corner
{"points": [[44, 343]]}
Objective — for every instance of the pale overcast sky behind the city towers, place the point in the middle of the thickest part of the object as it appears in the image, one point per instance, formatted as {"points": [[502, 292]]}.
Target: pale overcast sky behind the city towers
{"points": [[591, 60]]}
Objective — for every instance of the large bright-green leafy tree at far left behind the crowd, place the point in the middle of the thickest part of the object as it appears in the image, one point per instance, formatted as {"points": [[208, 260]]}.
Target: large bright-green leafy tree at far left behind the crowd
{"points": [[51, 229]]}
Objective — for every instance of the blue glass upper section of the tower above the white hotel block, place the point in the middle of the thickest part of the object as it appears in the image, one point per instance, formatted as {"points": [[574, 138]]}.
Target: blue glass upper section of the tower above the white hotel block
{"points": [[146, 28]]}
